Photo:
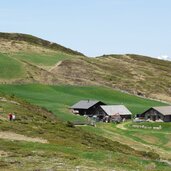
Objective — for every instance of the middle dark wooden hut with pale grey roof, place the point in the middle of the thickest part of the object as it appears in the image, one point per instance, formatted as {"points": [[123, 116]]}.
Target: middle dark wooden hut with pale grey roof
{"points": [[114, 111]]}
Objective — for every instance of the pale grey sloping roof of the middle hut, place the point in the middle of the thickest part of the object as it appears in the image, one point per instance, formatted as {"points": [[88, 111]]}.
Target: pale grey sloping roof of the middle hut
{"points": [[115, 109]]}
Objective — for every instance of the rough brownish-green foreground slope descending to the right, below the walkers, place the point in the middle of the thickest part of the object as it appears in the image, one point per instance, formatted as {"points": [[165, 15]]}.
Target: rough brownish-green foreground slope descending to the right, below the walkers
{"points": [[49, 144]]}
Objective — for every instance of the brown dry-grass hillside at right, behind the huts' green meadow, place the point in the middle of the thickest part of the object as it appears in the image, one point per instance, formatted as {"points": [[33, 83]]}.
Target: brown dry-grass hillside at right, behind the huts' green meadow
{"points": [[136, 74]]}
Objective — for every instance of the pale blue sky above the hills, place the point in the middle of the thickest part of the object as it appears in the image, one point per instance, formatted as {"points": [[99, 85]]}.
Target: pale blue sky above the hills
{"points": [[94, 27]]}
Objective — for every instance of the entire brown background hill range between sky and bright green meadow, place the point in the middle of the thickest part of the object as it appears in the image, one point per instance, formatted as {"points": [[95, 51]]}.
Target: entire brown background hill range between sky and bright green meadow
{"points": [[27, 59]]}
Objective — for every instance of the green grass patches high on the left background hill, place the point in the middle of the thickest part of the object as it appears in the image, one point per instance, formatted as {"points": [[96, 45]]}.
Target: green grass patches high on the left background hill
{"points": [[15, 65]]}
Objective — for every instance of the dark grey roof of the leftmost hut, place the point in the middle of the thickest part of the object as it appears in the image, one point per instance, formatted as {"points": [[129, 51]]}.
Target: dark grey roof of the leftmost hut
{"points": [[84, 104]]}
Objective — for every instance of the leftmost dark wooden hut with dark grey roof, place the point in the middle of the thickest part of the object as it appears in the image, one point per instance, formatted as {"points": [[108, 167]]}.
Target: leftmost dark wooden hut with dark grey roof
{"points": [[86, 107]]}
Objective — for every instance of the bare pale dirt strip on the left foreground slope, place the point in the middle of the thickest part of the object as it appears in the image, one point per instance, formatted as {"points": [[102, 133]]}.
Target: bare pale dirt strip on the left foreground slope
{"points": [[19, 137]]}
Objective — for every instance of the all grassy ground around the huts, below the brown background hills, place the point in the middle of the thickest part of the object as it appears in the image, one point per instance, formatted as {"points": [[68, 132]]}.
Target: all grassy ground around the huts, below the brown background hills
{"points": [[90, 148]]}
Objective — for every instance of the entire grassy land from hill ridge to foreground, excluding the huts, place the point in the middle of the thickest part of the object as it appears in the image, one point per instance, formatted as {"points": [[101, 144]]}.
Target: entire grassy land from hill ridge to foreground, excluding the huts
{"points": [[45, 79]]}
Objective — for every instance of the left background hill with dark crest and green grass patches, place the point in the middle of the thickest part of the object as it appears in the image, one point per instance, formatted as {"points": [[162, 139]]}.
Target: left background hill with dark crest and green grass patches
{"points": [[27, 59]]}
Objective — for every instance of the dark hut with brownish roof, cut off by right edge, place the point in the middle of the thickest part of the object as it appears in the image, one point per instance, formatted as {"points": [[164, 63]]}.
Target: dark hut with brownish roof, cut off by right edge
{"points": [[157, 113]]}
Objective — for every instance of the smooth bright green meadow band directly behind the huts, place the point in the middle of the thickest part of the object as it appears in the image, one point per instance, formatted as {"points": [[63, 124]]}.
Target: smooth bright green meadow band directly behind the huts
{"points": [[59, 98]]}
